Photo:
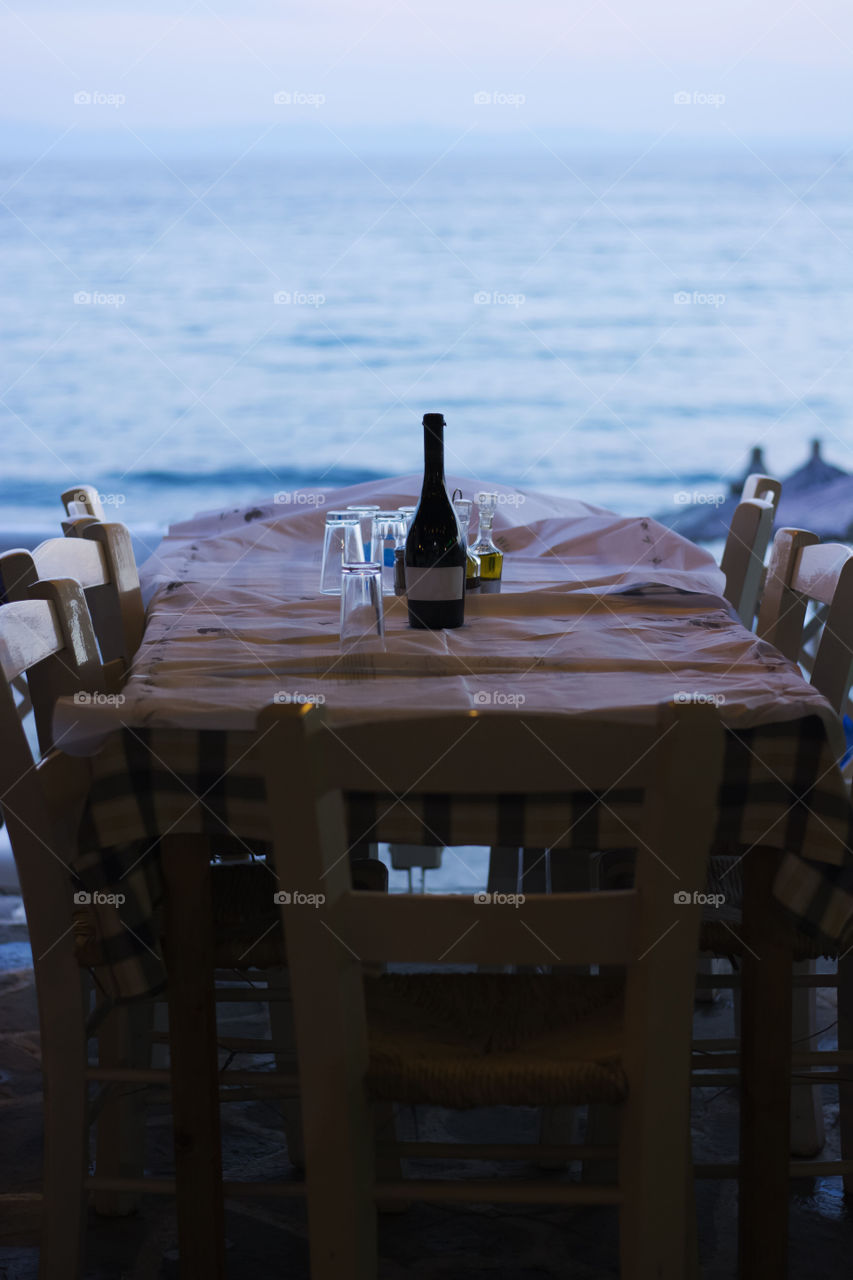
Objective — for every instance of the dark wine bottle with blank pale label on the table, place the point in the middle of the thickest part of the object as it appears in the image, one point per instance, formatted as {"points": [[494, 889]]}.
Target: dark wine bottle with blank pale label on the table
{"points": [[436, 555]]}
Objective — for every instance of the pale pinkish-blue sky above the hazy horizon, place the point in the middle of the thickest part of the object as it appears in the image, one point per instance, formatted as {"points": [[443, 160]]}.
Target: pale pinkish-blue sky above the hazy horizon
{"points": [[767, 68]]}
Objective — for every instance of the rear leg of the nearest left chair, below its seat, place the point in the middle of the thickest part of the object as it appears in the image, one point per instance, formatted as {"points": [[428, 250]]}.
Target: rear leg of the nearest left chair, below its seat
{"points": [[62, 1012]]}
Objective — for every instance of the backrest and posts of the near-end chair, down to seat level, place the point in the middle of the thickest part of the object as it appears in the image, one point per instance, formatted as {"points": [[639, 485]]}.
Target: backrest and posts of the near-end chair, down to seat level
{"points": [[495, 764]]}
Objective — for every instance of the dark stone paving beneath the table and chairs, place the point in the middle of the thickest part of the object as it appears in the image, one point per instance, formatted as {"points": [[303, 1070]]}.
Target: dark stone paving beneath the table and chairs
{"points": [[426, 1242]]}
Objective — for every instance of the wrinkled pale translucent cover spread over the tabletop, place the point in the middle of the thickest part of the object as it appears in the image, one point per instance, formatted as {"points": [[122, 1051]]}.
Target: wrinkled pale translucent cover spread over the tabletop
{"points": [[590, 616]]}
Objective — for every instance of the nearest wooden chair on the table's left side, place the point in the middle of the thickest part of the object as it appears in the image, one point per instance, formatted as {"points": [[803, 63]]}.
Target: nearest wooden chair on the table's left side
{"points": [[49, 642]]}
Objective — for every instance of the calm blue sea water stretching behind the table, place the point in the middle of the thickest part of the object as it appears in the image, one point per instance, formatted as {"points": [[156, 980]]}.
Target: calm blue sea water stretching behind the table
{"points": [[530, 296]]}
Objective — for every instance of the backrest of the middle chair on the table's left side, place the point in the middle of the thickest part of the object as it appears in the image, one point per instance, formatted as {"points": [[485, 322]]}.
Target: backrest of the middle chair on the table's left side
{"points": [[102, 560]]}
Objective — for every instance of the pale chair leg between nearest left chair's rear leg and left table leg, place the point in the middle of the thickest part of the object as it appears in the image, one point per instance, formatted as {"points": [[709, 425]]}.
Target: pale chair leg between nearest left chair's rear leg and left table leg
{"points": [[125, 1040]]}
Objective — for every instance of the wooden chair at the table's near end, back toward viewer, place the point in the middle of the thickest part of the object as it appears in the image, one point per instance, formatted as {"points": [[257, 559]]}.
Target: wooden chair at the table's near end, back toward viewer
{"points": [[531, 1039]]}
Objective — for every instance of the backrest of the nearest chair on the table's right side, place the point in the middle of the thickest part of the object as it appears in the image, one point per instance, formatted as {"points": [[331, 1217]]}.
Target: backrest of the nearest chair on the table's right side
{"points": [[805, 572]]}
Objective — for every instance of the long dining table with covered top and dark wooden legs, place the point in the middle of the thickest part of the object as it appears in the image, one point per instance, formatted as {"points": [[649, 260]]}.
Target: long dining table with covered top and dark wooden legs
{"points": [[236, 618]]}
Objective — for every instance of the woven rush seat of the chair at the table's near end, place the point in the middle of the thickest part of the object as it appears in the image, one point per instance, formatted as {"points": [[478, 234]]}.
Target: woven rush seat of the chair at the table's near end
{"points": [[495, 1040]]}
